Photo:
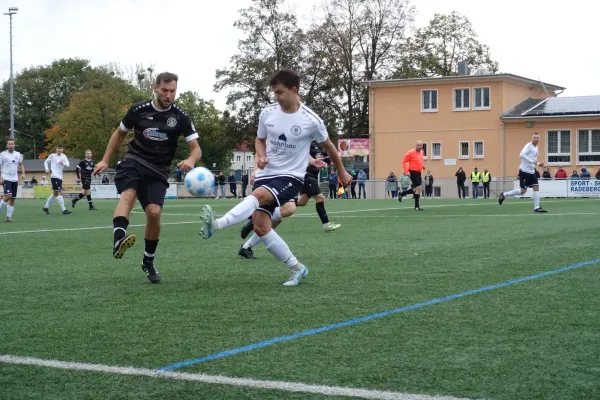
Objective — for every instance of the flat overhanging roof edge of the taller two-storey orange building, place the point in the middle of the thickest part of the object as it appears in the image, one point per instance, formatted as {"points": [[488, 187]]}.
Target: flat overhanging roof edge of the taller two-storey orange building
{"points": [[462, 78]]}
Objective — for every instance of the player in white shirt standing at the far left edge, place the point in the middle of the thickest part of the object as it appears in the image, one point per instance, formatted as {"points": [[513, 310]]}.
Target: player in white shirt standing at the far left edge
{"points": [[10, 162]]}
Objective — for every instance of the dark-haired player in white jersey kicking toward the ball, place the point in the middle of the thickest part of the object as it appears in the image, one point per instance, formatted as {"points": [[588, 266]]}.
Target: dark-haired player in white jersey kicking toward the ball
{"points": [[285, 133]]}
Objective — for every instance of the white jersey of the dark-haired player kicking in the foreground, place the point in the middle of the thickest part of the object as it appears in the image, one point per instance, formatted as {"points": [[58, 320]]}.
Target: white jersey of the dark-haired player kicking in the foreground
{"points": [[288, 139]]}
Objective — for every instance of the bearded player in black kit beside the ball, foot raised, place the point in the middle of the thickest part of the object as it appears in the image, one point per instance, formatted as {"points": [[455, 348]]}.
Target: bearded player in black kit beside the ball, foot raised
{"points": [[142, 174]]}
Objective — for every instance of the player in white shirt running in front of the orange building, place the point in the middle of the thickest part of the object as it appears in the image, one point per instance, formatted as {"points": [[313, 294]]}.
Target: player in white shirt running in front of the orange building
{"points": [[527, 177]]}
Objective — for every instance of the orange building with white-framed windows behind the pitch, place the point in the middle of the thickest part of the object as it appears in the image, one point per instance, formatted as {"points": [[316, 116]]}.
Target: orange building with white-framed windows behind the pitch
{"points": [[478, 121]]}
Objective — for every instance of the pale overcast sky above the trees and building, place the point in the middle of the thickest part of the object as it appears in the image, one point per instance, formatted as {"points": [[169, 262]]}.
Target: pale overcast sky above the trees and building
{"points": [[547, 40]]}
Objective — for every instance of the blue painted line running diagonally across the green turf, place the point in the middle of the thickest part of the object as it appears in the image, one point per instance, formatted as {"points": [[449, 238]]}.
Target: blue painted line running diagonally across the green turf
{"points": [[355, 321]]}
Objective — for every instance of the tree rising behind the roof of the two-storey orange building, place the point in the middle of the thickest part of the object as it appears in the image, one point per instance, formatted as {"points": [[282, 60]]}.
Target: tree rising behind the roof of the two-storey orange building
{"points": [[437, 49]]}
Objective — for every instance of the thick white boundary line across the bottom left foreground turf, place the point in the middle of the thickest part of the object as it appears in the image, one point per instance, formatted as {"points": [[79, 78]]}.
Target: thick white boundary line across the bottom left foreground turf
{"points": [[223, 380]]}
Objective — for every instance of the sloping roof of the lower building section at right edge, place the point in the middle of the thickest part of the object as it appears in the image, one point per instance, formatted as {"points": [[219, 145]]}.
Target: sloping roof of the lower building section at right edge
{"points": [[554, 107]]}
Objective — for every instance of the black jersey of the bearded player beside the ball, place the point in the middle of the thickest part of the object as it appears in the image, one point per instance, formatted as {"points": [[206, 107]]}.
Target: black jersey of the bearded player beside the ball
{"points": [[156, 133]]}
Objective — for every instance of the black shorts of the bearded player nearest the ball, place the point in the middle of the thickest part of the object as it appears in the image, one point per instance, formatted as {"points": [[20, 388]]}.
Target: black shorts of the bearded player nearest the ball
{"points": [[149, 188]]}
